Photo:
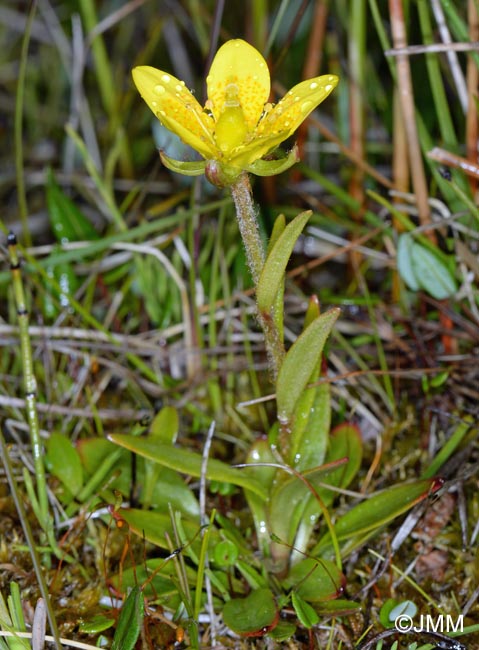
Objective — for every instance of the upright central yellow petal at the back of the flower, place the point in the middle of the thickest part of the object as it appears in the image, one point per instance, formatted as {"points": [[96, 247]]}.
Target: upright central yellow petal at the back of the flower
{"points": [[239, 64]]}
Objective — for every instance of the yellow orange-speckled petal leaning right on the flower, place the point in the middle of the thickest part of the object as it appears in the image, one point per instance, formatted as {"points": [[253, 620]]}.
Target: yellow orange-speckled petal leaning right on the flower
{"points": [[295, 106]]}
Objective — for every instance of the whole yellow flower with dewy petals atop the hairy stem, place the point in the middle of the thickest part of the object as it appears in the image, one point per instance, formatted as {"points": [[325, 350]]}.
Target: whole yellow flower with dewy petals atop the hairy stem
{"points": [[237, 125]]}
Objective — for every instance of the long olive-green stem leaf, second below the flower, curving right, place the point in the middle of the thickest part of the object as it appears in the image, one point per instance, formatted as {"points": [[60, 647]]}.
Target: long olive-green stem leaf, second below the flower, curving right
{"points": [[300, 362]]}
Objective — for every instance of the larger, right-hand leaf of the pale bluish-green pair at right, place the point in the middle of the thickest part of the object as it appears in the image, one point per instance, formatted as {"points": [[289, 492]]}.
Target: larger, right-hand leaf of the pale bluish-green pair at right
{"points": [[432, 273]]}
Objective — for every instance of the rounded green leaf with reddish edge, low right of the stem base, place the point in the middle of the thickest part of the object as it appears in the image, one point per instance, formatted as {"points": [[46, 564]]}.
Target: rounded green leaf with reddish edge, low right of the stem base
{"points": [[316, 580]]}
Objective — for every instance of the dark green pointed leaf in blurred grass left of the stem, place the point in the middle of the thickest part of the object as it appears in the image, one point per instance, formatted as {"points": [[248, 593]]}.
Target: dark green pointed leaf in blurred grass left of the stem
{"points": [[68, 223]]}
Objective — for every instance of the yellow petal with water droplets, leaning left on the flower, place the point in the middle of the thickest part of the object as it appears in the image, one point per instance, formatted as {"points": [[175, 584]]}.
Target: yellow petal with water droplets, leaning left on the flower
{"points": [[176, 108]]}
